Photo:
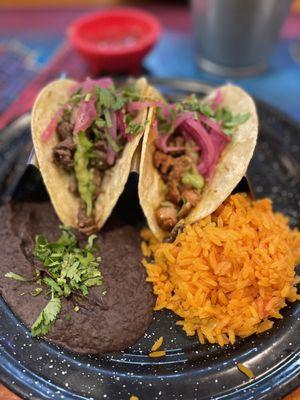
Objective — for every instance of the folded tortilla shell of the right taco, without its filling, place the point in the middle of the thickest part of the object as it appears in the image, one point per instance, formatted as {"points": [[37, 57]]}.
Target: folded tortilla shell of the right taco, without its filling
{"points": [[231, 167]]}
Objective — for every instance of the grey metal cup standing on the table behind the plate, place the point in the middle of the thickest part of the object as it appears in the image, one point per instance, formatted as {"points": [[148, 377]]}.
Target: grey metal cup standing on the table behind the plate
{"points": [[235, 37]]}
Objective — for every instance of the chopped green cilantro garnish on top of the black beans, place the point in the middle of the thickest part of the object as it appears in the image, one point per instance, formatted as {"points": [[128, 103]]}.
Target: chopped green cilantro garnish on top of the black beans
{"points": [[67, 269]]}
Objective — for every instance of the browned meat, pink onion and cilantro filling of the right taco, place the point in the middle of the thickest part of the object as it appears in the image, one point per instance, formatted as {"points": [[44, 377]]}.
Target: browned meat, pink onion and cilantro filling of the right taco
{"points": [[189, 140]]}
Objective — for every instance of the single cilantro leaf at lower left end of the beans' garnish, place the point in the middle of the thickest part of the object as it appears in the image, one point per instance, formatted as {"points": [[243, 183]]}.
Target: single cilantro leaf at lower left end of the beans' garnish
{"points": [[48, 315]]}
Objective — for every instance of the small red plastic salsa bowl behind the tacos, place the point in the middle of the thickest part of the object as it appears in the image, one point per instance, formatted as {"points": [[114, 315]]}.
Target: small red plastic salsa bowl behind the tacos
{"points": [[115, 40]]}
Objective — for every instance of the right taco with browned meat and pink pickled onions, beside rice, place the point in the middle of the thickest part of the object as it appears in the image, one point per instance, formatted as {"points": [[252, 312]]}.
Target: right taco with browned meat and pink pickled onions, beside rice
{"points": [[193, 155]]}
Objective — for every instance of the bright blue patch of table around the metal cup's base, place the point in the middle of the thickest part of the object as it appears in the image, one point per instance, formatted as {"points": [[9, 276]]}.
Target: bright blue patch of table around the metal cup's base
{"points": [[279, 85]]}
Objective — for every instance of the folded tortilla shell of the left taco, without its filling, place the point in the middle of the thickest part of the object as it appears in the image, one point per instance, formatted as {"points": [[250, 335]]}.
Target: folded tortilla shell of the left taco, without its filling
{"points": [[66, 204]]}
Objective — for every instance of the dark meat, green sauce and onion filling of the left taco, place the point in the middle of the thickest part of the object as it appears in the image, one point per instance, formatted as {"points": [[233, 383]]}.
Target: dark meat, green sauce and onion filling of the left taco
{"points": [[92, 129]]}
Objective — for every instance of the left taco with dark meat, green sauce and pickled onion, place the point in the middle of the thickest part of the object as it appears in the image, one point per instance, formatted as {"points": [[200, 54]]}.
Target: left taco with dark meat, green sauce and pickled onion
{"points": [[85, 135]]}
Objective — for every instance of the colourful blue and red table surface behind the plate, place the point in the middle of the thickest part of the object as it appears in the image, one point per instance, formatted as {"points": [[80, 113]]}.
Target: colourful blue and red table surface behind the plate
{"points": [[30, 39]]}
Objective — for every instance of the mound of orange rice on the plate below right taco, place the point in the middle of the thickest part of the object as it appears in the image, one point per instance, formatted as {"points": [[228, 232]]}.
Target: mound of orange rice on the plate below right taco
{"points": [[228, 274]]}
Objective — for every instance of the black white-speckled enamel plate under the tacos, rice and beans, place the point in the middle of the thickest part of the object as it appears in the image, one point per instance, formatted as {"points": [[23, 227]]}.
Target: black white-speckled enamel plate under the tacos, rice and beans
{"points": [[37, 370]]}
